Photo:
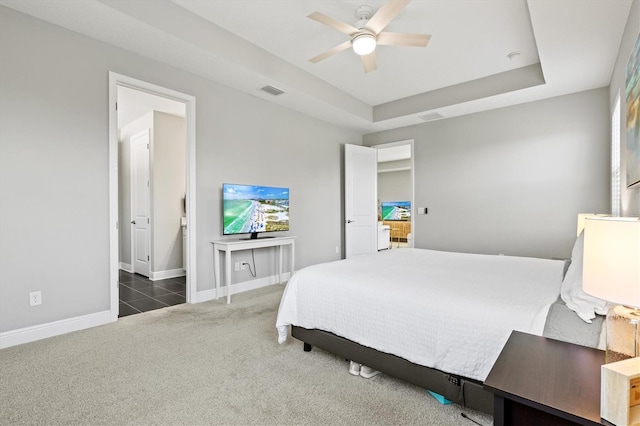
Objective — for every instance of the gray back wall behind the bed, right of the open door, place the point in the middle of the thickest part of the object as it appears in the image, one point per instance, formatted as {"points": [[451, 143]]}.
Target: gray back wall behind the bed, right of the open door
{"points": [[510, 180]]}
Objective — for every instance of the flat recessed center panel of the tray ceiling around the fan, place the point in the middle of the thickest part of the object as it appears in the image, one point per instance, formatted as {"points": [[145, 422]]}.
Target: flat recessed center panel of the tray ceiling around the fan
{"points": [[402, 71]]}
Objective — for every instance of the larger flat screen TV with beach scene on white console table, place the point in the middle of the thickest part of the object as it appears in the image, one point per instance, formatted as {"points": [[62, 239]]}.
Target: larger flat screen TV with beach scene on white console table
{"points": [[253, 209]]}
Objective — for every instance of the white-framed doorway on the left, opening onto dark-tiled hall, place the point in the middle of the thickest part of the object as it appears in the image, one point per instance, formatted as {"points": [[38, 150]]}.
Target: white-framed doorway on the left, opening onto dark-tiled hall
{"points": [[129, 101]]}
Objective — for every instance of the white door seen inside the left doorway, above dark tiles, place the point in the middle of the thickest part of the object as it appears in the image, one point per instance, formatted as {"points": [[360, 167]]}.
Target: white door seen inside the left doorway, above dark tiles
{"points": [[140, 203]]}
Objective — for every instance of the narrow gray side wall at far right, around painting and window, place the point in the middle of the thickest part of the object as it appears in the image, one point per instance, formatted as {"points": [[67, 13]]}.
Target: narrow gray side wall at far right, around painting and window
{"points": [[630, 196]]}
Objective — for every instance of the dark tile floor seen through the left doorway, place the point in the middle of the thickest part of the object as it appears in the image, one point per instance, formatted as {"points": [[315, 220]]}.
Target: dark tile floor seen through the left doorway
{"points": [[140, 294]]}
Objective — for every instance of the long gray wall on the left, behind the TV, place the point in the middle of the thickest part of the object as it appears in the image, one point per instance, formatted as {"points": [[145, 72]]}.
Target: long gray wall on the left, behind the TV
{"points": [[54, 200]]}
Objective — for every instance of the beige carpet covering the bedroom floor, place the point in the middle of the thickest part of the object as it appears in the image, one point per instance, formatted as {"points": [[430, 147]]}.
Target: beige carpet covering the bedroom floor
{"points": [[208, 363]]}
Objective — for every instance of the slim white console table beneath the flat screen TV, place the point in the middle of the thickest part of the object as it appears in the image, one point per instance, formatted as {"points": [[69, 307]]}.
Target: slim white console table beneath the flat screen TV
{"points": [[229, 246]]}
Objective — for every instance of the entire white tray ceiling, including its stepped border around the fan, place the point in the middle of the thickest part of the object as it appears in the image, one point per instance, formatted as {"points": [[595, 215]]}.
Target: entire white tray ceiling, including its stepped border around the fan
{"points": [[565, 46]]}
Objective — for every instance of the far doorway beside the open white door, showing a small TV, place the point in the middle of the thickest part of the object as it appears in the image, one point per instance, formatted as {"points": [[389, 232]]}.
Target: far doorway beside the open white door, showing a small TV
{"points": [[395, 194]]}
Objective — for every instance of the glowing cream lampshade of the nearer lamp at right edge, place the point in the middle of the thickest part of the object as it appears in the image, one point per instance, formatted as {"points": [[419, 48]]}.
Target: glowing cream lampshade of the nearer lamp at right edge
{"points": [[611, 269]]}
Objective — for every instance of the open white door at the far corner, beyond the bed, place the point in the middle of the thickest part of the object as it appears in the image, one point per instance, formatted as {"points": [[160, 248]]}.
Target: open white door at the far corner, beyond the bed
{"points": [[361, 219]]}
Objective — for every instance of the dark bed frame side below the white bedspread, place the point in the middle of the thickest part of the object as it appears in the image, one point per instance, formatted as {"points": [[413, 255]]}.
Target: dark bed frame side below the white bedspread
{"points": [[466, 392]]}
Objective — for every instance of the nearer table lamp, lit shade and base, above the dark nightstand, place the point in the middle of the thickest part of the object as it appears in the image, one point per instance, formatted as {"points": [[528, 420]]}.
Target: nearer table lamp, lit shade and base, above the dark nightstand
{"points": [[611, 271]]}
